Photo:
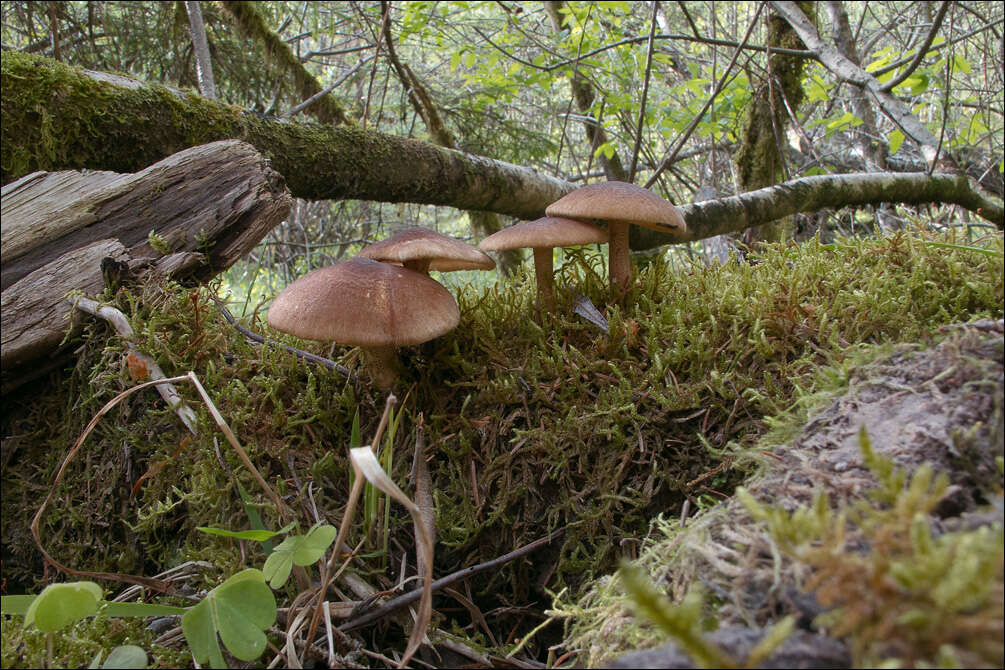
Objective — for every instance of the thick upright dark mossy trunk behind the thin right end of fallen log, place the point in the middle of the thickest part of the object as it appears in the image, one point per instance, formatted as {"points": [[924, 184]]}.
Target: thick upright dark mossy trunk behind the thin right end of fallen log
{"points": [[759, 158]]}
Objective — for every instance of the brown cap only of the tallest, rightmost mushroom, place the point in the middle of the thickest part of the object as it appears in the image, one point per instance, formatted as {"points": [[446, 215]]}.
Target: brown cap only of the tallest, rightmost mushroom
{"points": [[620, 202]]}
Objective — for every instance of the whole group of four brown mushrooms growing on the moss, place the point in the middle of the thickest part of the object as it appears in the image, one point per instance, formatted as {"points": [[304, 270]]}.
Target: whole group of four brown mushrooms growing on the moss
{"points": [[384, 299]]}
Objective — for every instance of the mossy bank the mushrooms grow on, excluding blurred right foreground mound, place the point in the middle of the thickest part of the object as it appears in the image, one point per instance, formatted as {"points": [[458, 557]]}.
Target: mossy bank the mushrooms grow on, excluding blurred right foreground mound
{"points": [[531, 427]]}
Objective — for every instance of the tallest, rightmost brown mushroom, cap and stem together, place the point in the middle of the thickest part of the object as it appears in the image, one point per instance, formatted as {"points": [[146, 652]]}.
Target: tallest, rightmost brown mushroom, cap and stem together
{"points": [[620, 204]]}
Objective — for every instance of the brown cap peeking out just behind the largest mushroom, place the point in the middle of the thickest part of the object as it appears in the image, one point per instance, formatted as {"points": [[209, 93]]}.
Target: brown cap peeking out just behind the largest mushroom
{"points": [[445, 255]]}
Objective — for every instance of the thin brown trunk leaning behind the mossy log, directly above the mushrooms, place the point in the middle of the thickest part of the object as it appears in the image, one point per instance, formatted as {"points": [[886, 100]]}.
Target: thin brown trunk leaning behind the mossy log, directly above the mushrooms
{"points": [[483, 224]]}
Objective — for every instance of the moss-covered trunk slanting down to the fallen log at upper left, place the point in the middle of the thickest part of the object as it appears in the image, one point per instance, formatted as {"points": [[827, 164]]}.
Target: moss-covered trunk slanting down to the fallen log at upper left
{"points": [[327, 109]]}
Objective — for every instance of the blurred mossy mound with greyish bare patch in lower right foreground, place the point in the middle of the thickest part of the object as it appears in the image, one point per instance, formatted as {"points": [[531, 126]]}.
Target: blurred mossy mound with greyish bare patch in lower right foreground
{"points": [[879, 524]]}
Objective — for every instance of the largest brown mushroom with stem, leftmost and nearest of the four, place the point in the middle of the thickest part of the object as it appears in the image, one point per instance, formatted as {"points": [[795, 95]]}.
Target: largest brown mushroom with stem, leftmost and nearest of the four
{"points": [[373, 306]]}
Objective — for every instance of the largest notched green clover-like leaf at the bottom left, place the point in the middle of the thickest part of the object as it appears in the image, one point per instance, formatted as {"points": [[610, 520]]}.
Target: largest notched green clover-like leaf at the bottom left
{"points": [[240, 610]]}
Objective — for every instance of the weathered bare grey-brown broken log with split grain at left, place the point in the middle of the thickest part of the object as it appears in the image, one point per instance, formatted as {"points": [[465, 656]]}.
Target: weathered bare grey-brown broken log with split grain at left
{"points": [[204, 209]]}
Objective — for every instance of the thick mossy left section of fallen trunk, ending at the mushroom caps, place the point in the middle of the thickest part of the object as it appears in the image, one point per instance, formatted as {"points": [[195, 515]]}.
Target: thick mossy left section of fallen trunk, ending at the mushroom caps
{"points": [[62, 118]]}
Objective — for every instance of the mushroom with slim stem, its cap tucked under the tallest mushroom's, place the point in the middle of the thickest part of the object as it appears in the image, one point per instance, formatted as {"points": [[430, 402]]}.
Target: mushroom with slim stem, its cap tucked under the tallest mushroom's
{"points": [[543, 236]]}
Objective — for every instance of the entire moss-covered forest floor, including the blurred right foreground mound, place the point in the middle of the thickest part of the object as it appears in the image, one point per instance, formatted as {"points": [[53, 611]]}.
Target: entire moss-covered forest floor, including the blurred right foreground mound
{"points": [[705, 381]]}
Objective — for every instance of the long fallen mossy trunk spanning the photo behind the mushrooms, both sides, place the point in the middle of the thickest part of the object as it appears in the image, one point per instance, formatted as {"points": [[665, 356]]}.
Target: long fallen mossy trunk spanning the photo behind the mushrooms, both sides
{"points": [[57, 117]]}
